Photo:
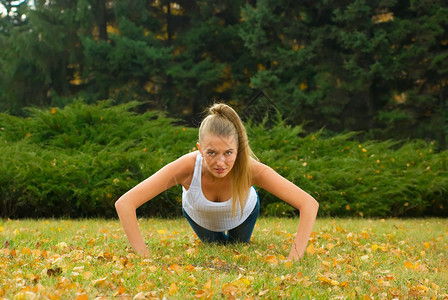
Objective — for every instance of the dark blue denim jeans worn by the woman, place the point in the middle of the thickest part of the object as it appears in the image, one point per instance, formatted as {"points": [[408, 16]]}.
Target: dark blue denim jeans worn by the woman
{"points": [[241, 233]]}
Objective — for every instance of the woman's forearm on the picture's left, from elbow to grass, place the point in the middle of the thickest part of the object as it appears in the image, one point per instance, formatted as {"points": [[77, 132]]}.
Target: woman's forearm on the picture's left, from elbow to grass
{"points": [[128, 219]]}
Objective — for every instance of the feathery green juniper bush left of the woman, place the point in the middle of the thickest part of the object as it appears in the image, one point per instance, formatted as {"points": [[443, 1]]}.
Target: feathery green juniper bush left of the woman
{"points": [[78, 160]]}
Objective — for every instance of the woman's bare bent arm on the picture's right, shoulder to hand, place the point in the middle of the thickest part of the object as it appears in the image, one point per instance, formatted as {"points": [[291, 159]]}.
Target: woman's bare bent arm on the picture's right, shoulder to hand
{"points": [[269, 180]]}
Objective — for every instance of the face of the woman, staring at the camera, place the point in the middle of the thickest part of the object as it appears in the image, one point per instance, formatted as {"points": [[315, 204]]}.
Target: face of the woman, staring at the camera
{"points": [[219, 153]]}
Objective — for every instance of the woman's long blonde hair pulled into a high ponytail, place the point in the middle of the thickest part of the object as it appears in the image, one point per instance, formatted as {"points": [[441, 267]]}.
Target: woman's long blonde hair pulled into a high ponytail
{"points": [[222, 120]]}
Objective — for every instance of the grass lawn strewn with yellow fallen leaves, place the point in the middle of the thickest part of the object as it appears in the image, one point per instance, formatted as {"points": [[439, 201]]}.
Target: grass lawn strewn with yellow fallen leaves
{"points": [[346, 258]]}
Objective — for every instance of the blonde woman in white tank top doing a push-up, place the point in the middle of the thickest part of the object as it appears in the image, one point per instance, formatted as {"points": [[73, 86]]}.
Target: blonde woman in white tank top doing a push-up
{"points": [[218, 198]]}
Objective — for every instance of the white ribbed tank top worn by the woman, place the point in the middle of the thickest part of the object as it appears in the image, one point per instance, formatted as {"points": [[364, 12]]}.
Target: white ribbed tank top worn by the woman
{"points": [[214, 216]]}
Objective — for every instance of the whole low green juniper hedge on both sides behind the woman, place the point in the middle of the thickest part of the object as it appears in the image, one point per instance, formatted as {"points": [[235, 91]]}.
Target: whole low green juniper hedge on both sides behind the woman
{"points": [[78, 160]]}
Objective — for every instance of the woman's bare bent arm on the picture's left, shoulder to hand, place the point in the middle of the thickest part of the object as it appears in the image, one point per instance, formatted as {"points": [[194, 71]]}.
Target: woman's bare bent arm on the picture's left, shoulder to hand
{"points": [[170, 175]]}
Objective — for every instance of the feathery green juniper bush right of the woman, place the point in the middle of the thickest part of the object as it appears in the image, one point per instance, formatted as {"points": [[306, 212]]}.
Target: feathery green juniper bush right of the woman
{"points": [[375, 179]]}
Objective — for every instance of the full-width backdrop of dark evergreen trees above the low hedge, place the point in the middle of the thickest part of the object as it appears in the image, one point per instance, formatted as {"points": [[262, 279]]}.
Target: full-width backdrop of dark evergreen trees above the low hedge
{"points": [[375, 66]]}
